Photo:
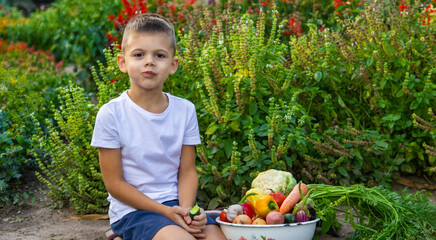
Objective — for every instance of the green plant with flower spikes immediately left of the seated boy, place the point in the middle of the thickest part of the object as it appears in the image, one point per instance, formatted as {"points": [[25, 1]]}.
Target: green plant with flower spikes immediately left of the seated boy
{"points": [[71, 172]]}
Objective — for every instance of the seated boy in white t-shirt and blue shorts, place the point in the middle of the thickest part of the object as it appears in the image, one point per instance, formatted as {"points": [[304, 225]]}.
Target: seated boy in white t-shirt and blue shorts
{"points": [[146, 143]]}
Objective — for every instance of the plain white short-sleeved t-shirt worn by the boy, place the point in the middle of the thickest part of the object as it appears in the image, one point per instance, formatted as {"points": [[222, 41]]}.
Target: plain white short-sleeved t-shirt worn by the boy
{"points": [[150, 145]]}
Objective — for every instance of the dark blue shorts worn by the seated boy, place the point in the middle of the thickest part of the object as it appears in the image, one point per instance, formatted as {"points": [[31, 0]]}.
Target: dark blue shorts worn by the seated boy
{"points": [[145, 224]]}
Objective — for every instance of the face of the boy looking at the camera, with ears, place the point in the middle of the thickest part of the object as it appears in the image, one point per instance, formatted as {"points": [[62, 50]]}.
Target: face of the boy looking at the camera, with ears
{"points": [[148, 59]]}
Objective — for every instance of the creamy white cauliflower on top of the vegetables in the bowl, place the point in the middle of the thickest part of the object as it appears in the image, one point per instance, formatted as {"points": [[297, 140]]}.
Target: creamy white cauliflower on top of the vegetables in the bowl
{"points": [[275, 180]]}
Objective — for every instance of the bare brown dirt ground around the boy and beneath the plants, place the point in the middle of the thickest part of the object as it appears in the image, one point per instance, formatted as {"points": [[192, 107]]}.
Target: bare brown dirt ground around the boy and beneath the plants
{"points": [[36, 220]]}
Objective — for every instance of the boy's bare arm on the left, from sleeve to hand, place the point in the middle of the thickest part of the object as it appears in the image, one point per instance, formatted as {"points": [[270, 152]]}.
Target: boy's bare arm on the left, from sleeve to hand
{"points": [[113, 177]]}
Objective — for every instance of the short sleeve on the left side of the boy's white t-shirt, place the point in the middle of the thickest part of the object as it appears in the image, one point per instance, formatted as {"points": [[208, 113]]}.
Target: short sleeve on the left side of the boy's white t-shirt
{"points": [[105, 134]]}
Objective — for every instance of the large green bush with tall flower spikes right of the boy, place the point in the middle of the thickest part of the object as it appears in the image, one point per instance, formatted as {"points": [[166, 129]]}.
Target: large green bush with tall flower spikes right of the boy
{"points": [[355, 93]]}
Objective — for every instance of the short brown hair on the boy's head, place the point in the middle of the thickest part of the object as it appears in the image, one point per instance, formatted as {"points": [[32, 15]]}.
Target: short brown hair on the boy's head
{"points": [[149, 23]]}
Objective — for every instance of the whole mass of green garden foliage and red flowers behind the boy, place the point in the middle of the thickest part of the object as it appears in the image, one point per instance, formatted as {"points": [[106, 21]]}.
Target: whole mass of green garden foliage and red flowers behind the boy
{"points": [[336, 92]]}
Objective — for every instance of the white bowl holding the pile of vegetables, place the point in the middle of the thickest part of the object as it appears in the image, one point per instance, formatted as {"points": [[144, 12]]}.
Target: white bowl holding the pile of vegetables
{"points": [[287, 231]]}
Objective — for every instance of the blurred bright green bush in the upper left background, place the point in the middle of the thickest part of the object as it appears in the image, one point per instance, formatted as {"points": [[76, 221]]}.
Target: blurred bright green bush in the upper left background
{"points": [[74, 31]]}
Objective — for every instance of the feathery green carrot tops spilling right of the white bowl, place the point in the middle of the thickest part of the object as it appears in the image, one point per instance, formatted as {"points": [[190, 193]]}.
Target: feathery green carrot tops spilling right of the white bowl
{"points": [[376, 213]]}
